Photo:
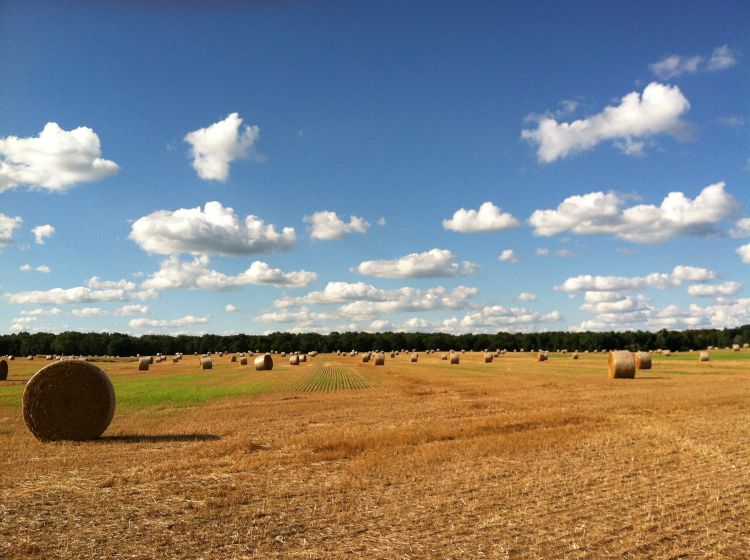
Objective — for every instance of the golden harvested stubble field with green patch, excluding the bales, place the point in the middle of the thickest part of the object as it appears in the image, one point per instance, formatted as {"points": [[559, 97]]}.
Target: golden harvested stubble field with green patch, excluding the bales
{"points": [[339, 459]]}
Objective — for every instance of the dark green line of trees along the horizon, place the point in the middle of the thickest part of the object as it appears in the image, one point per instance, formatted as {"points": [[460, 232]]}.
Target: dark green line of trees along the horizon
{"points": [[118, 344]]}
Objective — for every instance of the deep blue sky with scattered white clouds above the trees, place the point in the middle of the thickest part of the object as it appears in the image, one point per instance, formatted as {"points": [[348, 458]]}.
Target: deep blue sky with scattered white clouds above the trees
{"points": [[444, 166]]}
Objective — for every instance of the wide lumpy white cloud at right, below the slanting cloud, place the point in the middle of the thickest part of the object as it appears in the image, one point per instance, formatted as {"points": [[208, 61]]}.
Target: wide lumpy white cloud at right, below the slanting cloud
{"points": [[600, 213]]}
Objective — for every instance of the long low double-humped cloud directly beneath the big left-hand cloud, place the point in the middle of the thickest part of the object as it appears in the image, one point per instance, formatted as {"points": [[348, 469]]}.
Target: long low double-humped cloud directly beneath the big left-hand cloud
{"points": [[175, 273]]}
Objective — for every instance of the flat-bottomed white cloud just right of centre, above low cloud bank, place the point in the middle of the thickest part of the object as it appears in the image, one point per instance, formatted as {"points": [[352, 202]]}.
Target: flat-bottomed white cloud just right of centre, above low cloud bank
{"points": [[436, 263]]}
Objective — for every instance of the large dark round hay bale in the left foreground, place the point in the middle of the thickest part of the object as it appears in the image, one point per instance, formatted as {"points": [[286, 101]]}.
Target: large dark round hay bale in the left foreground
{"points": [[68, 400]]}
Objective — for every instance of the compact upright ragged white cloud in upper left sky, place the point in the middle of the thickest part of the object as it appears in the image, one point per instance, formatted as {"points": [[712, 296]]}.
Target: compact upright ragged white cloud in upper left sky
{"points": [[217, 145]]}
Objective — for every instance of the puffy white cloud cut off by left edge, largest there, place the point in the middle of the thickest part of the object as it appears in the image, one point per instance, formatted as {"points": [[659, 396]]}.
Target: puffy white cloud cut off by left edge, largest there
{"points": [[55, 160]]}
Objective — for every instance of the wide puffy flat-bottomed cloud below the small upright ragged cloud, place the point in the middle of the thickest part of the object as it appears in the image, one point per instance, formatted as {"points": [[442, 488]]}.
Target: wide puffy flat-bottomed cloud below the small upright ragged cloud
{"points": [[213, 230]]}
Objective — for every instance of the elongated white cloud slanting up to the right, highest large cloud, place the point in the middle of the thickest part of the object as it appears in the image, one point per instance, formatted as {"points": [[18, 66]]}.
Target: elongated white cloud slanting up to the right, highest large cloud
{"points": [[656, 111]]}
